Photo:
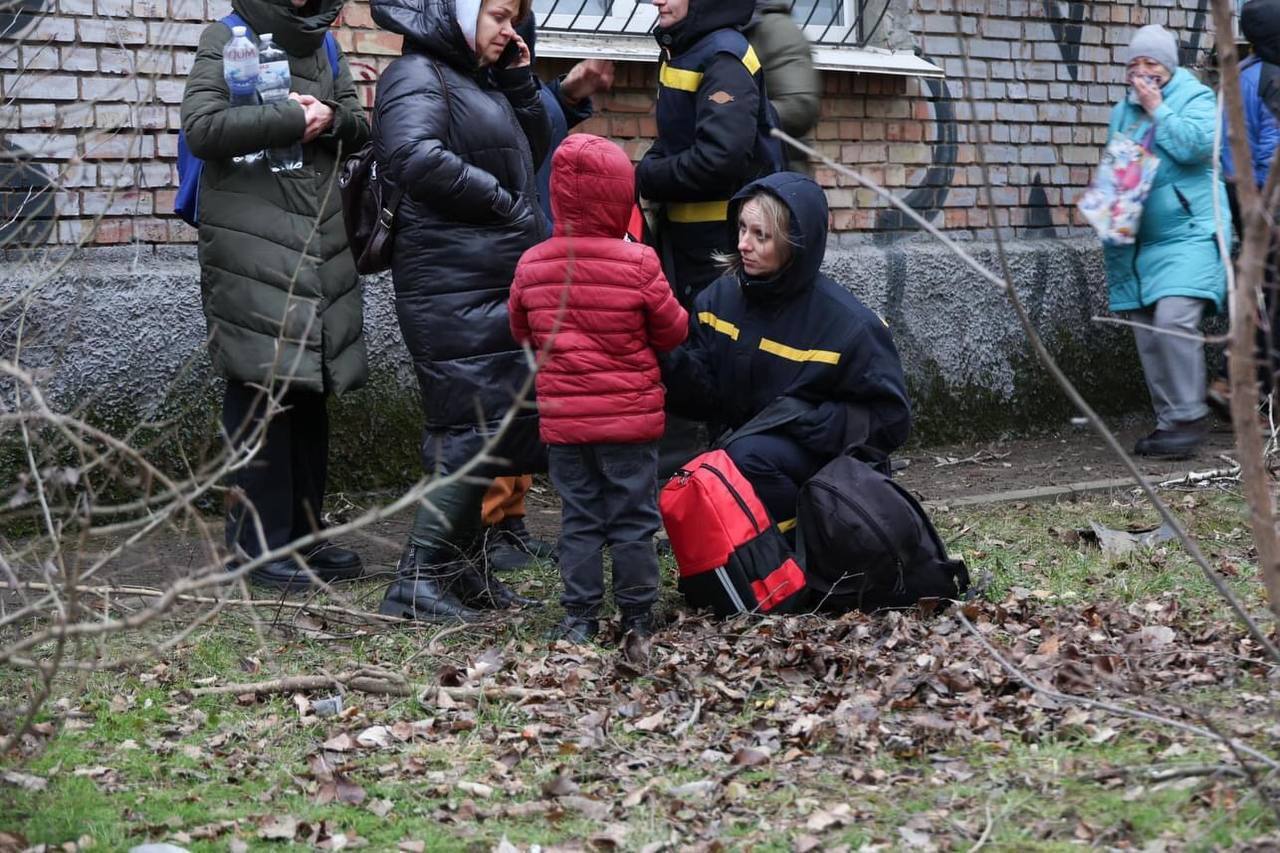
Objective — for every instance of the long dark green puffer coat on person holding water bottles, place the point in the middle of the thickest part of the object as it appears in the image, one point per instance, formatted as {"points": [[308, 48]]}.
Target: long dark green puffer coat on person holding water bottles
{"points": [[278, 281]]}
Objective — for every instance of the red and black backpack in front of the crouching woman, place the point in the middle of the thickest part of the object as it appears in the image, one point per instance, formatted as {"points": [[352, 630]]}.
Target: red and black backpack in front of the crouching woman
{"points": [[732, 556]]}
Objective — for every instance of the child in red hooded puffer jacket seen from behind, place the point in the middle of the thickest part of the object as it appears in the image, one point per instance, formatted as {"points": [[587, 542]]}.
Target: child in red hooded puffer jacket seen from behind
{"points": [[597, 308]]}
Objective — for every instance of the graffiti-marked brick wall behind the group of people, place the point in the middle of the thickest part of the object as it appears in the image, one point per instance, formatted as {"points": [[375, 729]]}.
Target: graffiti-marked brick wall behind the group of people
{"points": [[92, 89]]}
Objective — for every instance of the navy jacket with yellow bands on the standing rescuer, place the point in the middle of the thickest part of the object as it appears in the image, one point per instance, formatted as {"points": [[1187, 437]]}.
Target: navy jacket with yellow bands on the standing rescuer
{"points": [[714, 122]]}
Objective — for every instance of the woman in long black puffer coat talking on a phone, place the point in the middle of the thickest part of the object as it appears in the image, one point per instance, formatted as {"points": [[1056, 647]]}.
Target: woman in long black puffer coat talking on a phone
{"points": [[460, 129]]}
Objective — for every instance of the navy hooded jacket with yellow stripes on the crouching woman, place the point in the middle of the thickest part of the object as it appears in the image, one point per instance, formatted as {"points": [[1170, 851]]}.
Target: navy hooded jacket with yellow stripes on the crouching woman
{"points": [[797, 354]]}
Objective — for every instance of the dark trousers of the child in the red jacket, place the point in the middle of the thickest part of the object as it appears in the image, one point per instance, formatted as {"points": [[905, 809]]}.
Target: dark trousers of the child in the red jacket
{"points": [[610, 495]]}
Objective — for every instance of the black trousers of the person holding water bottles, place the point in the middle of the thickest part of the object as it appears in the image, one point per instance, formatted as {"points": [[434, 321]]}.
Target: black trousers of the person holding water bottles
{"points": [[284, 486]]}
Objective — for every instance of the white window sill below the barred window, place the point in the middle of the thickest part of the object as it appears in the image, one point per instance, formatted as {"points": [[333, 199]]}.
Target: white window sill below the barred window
{"points": [[644, 49]]}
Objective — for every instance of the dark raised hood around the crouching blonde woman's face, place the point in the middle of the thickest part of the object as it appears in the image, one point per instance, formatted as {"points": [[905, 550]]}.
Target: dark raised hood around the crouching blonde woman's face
{"points": [[808, 207]]}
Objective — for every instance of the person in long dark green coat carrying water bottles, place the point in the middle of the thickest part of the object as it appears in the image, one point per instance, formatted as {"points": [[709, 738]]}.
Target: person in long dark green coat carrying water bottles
{"points": [[278, 282]]}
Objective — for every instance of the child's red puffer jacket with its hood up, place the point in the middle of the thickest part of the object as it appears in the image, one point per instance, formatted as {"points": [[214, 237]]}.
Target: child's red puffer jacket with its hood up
{"points": [[596, 305]]}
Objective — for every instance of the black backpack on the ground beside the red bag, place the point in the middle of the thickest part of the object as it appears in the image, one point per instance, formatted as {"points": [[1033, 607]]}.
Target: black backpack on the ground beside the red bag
{"points": [[867, 544]]}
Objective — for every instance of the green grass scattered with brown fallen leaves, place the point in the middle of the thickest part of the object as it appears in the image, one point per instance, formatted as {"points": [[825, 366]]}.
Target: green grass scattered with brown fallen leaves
{"points": [[1048, 786]]}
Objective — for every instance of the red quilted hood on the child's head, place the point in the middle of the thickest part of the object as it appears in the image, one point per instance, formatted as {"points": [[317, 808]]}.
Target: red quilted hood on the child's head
{"points": [[593, 188]]}
